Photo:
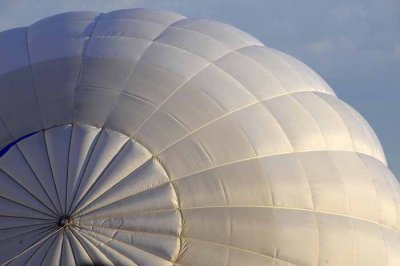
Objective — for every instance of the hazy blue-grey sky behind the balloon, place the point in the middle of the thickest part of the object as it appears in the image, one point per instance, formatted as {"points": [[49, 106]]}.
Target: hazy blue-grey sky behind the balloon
{"points": [[354, 45]]}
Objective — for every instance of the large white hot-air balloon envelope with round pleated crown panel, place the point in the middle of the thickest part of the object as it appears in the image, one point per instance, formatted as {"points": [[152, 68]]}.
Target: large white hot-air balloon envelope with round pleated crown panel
{"points": [[141, 137]]}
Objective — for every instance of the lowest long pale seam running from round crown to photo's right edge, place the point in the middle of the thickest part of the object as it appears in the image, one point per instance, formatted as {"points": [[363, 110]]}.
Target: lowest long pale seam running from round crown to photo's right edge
{"points": [[298, 209]]}
